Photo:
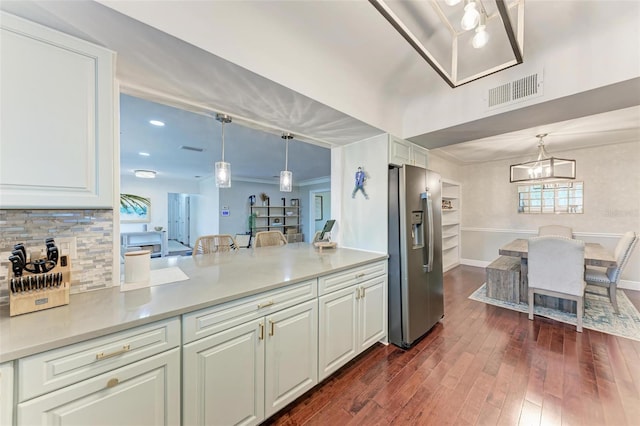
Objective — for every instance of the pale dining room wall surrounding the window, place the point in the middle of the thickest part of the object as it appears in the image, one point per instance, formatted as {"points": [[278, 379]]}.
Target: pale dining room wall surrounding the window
{"points": [[611, 204]]}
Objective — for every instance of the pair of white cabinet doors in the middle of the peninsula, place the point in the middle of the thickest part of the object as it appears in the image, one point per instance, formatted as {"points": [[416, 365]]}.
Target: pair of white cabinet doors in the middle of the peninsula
{"points": [[245, 374]]}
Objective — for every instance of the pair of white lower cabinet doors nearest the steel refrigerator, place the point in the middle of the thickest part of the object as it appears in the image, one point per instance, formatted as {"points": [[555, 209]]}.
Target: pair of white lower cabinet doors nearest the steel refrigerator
{"points": [[351, 320]]}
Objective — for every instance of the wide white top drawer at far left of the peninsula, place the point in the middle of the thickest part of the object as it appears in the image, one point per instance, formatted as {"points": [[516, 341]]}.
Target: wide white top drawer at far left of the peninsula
{"points": [[48, 371]]}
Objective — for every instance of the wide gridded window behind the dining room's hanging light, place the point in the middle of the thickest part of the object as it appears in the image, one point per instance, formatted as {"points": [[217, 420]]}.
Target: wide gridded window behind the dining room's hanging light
{"points": [[561, 197]]}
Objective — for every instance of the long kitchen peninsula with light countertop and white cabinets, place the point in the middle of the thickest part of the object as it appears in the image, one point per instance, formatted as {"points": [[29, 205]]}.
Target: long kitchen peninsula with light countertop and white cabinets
{"points": [[246, 334]]}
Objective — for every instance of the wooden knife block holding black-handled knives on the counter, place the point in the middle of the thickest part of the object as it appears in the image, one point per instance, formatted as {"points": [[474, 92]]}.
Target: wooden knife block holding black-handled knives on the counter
{"points": [[38, 300]]}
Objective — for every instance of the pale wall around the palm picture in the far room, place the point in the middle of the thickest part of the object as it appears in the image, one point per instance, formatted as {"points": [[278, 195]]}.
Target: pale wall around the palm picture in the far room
{"points": [[157, 190]]}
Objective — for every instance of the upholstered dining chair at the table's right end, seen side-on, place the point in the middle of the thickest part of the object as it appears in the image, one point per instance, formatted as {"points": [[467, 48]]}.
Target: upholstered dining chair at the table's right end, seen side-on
{"points": [[609, 277]]}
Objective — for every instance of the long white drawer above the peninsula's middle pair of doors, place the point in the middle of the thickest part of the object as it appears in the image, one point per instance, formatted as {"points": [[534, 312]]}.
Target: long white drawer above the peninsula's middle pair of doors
{"points": [[202, 323]]}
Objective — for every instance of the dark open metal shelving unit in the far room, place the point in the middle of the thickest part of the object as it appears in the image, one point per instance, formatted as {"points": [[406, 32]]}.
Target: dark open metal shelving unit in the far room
{"points": [[284, 218]]}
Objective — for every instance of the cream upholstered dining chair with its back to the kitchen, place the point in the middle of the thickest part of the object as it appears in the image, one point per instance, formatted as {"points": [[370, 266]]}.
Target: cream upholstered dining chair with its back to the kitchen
{"points": [[556, 268]]}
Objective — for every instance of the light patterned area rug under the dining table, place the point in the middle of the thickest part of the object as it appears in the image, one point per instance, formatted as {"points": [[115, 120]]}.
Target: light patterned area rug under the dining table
{"points": [[598, 312]]}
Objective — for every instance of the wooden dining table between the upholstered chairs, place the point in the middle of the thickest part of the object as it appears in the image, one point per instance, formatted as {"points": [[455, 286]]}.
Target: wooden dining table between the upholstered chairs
{"points": [[594, 255]]}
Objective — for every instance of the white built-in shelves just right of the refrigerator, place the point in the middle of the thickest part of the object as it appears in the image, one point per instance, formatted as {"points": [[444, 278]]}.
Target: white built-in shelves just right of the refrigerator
{"points": [[451, 207]]}
